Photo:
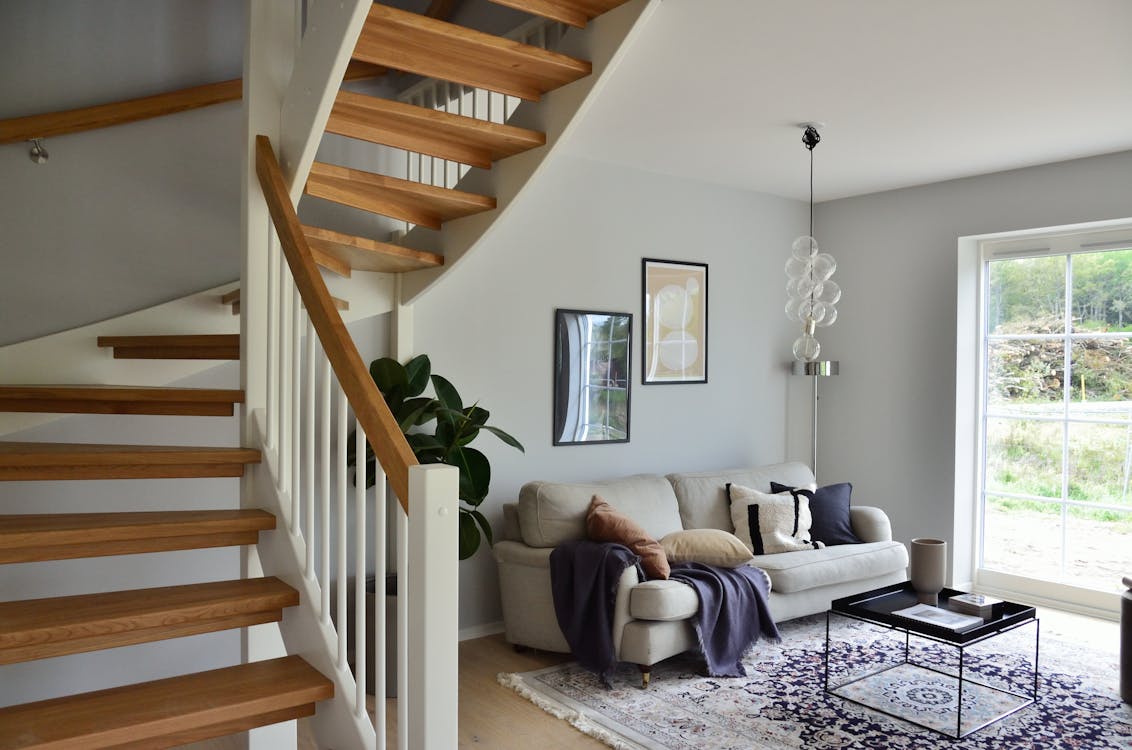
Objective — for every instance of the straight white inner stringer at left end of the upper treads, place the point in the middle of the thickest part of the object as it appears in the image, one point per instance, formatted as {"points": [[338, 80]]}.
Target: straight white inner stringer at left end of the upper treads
{"points": [[330, 38]]}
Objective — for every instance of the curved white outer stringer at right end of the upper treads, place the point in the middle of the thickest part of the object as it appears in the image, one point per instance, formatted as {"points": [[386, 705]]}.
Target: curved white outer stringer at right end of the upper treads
{"points": [[606, 44]]}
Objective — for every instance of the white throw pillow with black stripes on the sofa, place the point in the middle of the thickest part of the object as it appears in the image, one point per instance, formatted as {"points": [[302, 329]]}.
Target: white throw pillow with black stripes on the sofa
{"points": [[771, 523]]}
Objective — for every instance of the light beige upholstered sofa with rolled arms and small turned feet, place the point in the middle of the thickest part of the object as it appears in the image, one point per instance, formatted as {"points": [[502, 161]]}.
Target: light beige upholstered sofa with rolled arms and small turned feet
{"points": [[651, 620]]}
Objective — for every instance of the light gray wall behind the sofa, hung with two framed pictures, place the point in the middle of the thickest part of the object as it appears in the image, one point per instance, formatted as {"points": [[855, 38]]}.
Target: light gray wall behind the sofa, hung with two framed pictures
{"points": [[576, 239]]}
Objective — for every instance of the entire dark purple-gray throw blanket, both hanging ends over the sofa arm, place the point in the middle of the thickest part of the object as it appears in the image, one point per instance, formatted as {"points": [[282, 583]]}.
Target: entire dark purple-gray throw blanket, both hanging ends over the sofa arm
{"points": [[733, 611]]}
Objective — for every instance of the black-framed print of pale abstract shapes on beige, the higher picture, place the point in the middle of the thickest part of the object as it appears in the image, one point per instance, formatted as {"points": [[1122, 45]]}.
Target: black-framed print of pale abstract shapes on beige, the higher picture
{"points": [[674, 306]]}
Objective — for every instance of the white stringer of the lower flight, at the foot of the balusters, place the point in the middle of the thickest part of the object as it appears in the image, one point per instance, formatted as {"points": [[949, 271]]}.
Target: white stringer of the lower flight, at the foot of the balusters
{"points": [[303, 632]]}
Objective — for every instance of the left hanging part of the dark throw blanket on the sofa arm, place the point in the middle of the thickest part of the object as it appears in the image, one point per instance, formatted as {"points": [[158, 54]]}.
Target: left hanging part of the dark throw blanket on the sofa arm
{"points": [[584, 582]]}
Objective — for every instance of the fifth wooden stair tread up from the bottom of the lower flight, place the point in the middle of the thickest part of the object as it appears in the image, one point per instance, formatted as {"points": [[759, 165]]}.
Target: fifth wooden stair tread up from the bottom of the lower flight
{"points": [[119, 400]]}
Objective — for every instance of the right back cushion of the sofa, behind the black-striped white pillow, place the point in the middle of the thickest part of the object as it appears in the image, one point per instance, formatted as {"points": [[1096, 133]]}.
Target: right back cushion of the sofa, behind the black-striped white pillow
{"points": [[702, 496]]}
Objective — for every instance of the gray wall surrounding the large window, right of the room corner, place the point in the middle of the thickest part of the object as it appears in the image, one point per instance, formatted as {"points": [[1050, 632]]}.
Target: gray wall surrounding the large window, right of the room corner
{"points": [[888, 421]]}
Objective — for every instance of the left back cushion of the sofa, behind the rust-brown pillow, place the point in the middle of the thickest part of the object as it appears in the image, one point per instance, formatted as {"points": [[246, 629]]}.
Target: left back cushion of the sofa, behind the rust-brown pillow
{"points": [[553, 513]]}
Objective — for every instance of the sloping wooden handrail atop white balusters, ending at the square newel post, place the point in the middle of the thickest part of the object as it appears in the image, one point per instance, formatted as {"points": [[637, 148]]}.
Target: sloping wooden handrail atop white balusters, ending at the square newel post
{"points": [[374, 416]]}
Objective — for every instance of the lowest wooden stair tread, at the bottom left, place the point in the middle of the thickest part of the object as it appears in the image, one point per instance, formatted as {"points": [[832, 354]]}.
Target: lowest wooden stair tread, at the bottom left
{"points": [[177, 710]]}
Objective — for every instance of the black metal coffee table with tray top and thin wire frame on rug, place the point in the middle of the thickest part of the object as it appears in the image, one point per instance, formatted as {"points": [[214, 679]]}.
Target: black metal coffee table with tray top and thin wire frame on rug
{"points": [[878, 607]]}
